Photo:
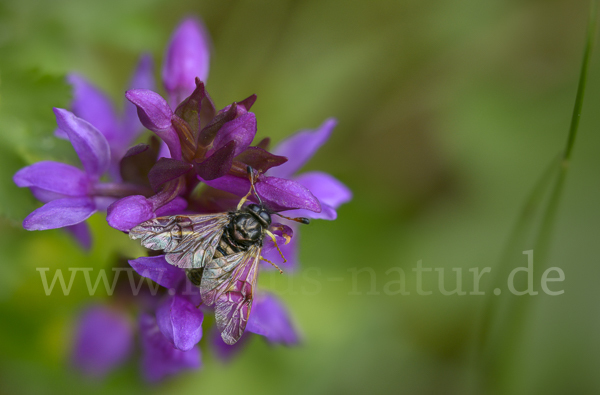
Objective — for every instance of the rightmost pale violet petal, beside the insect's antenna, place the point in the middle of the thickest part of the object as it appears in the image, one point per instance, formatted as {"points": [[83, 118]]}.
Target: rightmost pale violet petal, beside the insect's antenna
{"points": [[330, 192]]}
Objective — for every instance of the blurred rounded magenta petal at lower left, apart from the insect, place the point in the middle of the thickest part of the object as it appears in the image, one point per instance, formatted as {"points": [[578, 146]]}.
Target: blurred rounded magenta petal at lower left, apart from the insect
{"points": [[103, 341]]}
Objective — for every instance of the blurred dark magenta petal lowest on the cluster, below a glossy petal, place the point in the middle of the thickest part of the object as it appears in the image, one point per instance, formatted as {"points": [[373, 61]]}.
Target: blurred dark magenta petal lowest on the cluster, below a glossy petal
{"points": [[159, 357]]}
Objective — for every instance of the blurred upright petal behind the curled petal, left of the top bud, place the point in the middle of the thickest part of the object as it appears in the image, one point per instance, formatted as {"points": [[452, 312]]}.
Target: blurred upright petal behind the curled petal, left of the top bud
{"points": [[143, 78]]}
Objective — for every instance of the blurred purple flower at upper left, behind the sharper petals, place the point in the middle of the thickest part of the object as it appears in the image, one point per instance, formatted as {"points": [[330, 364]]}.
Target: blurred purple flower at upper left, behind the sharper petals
{"points": [[92, 105]]}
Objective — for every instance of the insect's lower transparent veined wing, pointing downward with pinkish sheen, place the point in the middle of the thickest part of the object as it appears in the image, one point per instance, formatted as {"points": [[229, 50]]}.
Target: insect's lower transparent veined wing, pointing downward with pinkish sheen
{"points": [[228, 283]]}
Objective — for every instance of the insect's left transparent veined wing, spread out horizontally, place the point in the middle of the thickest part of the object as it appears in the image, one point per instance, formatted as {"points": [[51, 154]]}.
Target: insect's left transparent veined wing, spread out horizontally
{"points": [[189, 241]]}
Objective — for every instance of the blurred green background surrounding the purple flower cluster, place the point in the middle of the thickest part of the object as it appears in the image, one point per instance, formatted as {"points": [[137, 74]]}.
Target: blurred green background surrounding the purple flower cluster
{"points": [[449, 111]]}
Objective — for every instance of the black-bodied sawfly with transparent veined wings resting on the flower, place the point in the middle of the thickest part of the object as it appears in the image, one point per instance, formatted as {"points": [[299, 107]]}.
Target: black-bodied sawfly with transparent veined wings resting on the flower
{"points": [[220, 253]]}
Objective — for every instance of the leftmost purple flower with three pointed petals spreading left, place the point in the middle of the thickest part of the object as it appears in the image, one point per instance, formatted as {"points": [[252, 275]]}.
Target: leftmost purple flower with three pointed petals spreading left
{"points": [[71, 195]]}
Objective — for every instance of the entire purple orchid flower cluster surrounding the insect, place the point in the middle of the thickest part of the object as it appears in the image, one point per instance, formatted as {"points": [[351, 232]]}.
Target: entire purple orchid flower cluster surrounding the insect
{"points": [[197, 165]]}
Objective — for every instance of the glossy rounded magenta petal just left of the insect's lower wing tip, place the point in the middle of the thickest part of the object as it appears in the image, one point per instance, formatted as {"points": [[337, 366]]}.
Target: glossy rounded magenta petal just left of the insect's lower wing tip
{"points": [[180, 321]]}
